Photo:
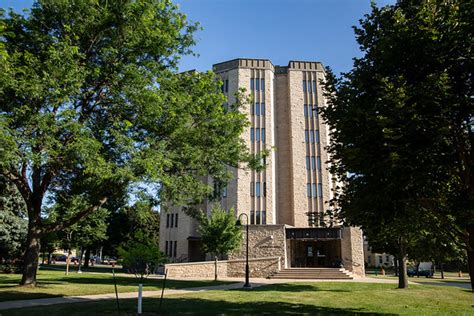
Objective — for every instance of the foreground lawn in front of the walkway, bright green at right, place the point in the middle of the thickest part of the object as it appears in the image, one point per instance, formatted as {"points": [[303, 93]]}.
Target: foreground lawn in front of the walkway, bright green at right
{"points": [[288, 299]]}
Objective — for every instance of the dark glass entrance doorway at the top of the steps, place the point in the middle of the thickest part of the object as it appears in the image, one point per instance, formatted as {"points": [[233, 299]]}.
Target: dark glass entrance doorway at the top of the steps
{"points": [[313, 253]]}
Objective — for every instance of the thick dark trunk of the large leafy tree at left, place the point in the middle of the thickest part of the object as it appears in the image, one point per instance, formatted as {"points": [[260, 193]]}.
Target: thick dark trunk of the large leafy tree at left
{"points": [[31, 256]]}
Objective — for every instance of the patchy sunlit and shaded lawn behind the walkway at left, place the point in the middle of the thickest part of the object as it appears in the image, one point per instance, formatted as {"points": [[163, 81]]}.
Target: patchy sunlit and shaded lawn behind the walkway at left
{"points": [[53, 283]]}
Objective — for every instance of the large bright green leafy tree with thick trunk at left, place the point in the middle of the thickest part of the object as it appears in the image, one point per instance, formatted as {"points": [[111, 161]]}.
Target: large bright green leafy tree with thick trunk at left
{"points": [[91, 101]]}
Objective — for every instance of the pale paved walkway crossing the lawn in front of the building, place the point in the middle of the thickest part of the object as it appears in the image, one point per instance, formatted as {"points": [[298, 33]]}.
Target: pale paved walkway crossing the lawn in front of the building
{"points": [[255, 282]]}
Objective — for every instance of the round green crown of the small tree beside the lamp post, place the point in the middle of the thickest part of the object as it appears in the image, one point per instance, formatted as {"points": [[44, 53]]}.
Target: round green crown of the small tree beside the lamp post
{"points": [[219, 232]]}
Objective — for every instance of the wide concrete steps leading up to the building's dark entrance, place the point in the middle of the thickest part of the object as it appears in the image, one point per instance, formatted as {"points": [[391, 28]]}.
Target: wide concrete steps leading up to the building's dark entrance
{"points": [[313, 273]]}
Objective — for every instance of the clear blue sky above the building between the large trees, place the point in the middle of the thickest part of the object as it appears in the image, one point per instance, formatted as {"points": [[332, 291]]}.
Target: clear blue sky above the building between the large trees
{"points": [[279, 30]]}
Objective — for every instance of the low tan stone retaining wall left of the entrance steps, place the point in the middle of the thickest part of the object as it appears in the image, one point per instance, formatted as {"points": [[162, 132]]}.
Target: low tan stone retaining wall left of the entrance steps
{"points": [[259, 268]]}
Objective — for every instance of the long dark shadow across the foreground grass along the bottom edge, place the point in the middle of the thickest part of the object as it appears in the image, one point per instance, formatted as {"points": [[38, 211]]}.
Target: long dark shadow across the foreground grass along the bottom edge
{"points": [[191, 306]]}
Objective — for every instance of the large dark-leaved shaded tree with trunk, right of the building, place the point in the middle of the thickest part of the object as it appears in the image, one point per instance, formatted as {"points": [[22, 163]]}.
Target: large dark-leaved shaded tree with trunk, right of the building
{"points": [[401, 120]]}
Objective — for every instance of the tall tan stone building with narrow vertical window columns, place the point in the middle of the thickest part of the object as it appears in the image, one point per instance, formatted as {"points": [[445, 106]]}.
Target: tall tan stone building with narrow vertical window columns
{"points": [[289, 197]]}
